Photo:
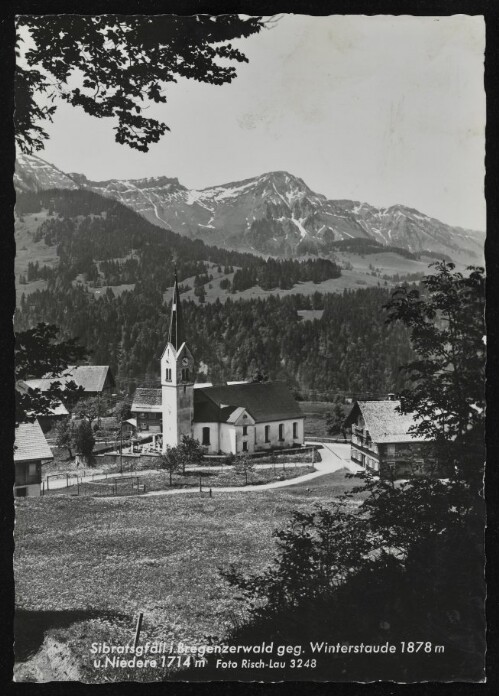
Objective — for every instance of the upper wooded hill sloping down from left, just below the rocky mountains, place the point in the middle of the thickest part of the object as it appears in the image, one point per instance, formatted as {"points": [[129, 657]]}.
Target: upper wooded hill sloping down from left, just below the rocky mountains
{"points": [[108, 244]]}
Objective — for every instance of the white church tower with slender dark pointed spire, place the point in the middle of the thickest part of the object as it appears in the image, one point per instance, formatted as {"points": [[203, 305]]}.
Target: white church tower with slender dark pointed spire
{"points": [[177, 379]]}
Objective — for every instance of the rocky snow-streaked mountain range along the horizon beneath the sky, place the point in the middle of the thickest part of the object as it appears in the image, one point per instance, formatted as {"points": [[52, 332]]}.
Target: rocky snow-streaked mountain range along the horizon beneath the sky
{"points": [[275, 213]]}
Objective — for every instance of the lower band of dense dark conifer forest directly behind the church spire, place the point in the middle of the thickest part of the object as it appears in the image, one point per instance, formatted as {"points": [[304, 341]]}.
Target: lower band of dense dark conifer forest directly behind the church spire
{"points": [[349, 349]]}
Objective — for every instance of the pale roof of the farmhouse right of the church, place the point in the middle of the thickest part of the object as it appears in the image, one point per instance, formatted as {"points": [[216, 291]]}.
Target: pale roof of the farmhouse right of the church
{"points": [[386, 424]]}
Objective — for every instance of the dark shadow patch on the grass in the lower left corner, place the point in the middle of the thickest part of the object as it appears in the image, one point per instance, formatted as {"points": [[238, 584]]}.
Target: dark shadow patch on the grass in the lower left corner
{"points": [[30, 627]]}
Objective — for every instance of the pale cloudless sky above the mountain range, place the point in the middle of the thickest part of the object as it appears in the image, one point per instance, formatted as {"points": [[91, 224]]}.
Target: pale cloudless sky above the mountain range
{"points": [[380, 109]]}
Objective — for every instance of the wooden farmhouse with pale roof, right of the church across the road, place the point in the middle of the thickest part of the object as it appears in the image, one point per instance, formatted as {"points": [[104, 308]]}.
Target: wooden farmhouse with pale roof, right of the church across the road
{"points": [[383, 443]]}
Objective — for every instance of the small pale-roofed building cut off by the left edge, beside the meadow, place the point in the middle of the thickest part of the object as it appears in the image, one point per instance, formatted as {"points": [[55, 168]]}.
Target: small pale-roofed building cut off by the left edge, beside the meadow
{"points": [[31, 450]]}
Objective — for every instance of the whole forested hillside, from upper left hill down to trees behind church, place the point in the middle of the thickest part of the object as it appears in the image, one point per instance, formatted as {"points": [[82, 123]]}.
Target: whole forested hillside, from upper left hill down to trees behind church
{"points": [[100, 243]]}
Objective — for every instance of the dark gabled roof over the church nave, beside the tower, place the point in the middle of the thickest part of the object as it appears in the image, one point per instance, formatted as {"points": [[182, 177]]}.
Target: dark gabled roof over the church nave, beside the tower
{"points": [[264, 401]]}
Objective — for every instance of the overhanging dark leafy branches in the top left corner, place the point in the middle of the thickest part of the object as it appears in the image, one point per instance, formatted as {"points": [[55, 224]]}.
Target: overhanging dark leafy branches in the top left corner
{"points": [[123, 63]]}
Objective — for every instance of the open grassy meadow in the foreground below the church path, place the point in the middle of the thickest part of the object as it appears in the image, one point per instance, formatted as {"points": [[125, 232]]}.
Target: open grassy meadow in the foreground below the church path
{"points": [[85, 567]]}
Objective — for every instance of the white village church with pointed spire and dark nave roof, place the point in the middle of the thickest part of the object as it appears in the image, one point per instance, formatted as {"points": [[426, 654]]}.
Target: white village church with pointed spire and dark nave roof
{"points": [[233, 418]]}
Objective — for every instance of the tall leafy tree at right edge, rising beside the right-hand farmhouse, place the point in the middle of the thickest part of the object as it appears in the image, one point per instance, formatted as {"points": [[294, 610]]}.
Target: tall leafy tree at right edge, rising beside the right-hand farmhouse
{"points": [[446, 381]]}
